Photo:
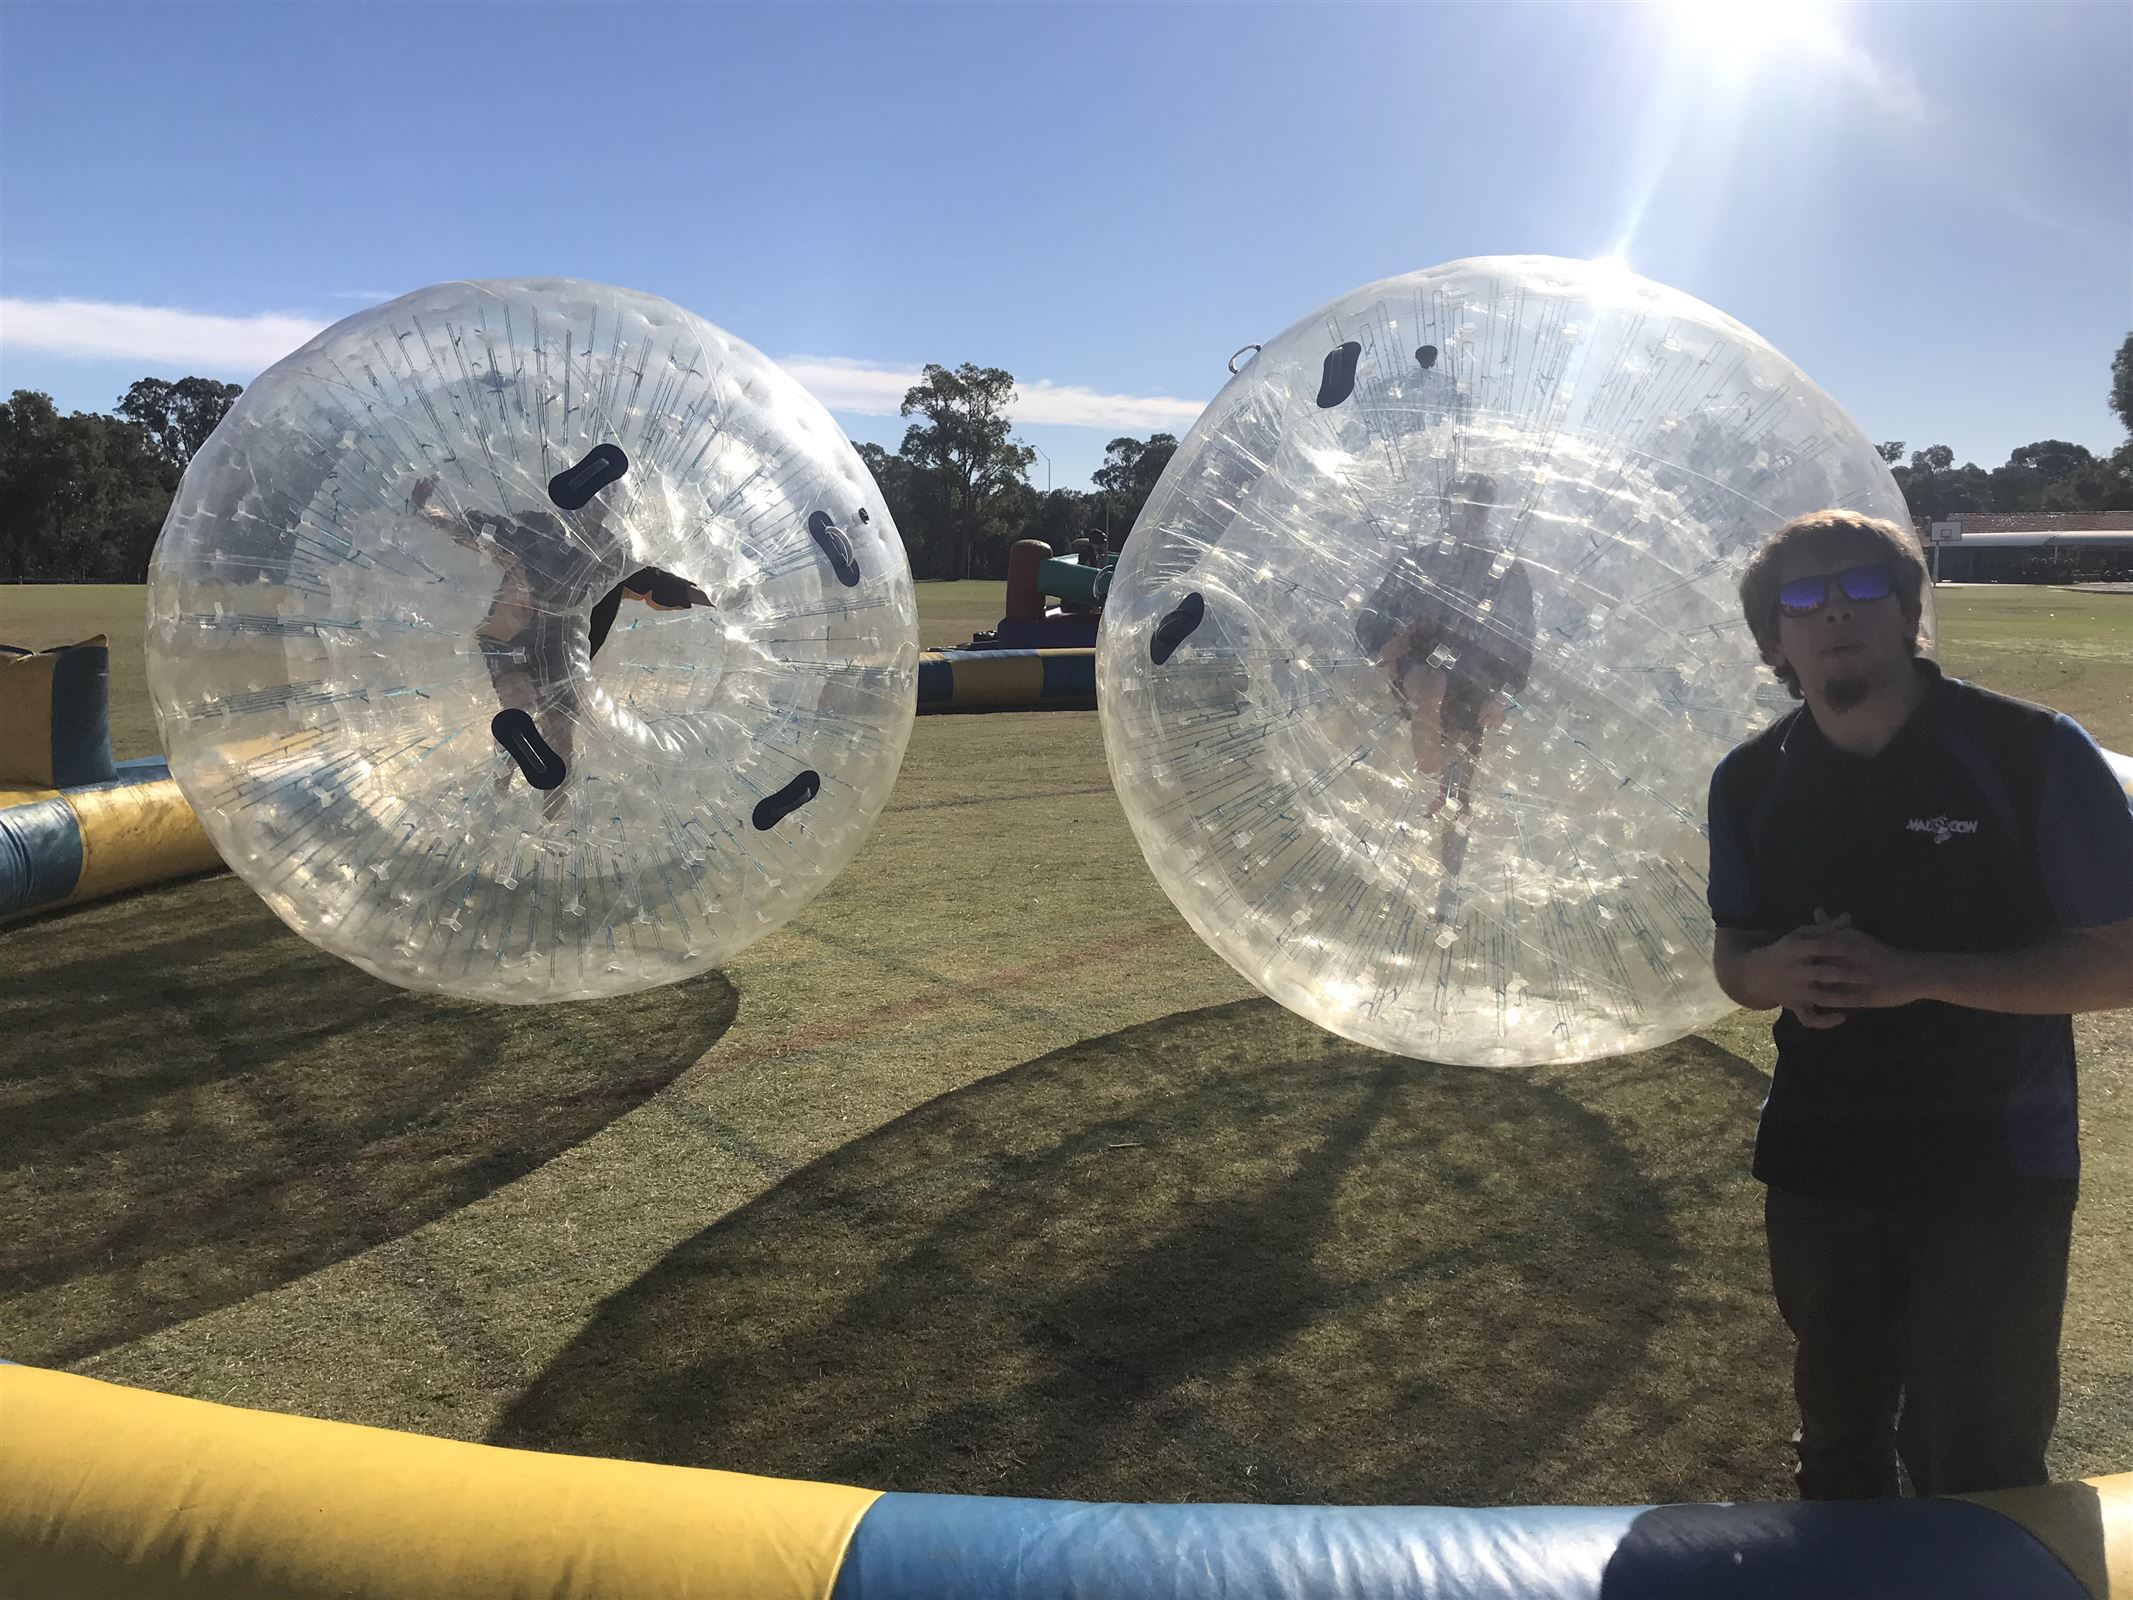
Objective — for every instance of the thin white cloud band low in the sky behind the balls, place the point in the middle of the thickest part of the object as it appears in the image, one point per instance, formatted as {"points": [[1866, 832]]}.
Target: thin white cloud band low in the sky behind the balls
{"points": [[248, 345]]}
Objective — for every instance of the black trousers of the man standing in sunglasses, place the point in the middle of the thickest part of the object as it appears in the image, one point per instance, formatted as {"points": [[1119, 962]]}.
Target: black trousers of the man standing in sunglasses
{"points": [[1921, 1334]]}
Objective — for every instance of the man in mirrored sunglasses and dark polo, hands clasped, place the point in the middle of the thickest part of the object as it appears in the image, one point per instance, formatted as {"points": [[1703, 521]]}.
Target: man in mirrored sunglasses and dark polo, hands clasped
{"points": [[1929, 880]]}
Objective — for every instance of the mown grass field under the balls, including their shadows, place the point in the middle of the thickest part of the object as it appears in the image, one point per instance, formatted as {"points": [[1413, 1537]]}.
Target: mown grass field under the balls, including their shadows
{"points": [[982, 1174]]}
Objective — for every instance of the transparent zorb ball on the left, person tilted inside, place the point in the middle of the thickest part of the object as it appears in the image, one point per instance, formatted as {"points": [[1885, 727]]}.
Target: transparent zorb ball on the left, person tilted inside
{"points": [[532, 641]]}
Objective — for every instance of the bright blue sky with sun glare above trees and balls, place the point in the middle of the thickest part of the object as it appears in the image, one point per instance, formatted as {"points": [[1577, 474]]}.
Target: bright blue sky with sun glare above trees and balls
{"points": [[1927, 206]]}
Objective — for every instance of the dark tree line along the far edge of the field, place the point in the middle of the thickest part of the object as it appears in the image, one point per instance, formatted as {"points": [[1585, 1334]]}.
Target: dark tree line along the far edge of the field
{"points": [[84, 496]]}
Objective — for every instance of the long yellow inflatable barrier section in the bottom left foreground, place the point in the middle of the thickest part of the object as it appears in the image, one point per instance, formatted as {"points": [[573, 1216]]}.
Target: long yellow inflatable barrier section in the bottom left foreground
{"points": [[114, 1494]]}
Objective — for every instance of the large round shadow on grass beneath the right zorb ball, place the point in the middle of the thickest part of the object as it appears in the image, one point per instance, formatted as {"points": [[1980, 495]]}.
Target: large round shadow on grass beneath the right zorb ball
{"points": [[1215, 1258]]}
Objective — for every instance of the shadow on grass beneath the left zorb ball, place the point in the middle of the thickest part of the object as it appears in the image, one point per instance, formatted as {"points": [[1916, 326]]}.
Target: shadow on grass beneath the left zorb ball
{"points": [[197, 1106]]}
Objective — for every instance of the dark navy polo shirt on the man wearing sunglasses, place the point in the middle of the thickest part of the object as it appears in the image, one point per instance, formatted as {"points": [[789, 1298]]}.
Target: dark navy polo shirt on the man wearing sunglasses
{"points": [[1983, 827]]}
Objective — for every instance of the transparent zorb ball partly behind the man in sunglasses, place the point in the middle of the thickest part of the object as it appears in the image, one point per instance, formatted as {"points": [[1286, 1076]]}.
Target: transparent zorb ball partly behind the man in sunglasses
{"points": [[1422, 654]]}
